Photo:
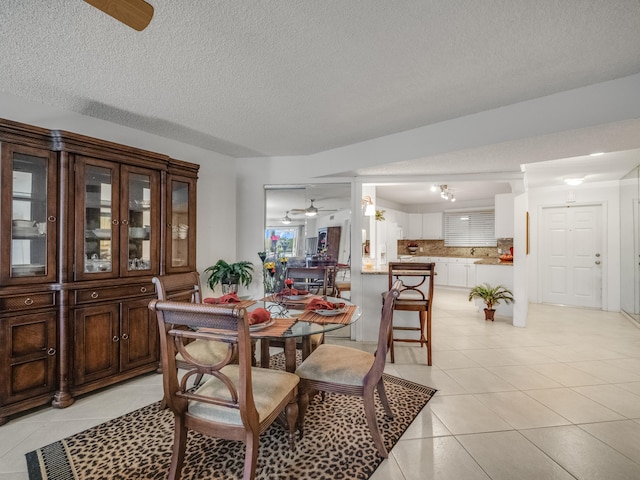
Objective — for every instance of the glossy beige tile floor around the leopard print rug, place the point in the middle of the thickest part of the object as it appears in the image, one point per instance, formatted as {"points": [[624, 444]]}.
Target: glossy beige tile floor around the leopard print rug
{"points": [[559, 399]]}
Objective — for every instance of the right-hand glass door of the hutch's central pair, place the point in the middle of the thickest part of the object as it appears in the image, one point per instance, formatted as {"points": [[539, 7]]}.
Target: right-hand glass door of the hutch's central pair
{"points": [[140, 221]]}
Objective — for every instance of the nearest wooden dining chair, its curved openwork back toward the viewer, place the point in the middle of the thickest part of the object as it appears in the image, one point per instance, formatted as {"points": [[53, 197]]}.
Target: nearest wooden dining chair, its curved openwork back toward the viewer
{"points": [[237, 401]]}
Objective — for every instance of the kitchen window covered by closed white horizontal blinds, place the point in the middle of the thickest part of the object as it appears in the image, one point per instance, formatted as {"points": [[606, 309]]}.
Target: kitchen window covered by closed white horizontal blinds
{"points": [[473, 228]]}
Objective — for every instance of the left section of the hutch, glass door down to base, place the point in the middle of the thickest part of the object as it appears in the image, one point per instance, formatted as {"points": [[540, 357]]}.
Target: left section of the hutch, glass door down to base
{"points": [[29, 349]]}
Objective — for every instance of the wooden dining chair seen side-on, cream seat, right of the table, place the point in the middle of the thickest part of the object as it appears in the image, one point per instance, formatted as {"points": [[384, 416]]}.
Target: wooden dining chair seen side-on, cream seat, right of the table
{"points": [[349, 371]]}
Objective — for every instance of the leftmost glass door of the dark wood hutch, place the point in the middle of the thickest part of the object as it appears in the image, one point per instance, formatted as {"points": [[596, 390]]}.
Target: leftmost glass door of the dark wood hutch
{"points": [[28, 215]]}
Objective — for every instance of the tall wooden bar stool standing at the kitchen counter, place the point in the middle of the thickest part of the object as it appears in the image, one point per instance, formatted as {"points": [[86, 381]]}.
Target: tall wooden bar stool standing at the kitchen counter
{"points": [[416, 295]]}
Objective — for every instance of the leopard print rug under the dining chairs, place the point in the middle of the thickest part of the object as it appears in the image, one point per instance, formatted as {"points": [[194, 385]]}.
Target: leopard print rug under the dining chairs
{"points": [[137, 446]]}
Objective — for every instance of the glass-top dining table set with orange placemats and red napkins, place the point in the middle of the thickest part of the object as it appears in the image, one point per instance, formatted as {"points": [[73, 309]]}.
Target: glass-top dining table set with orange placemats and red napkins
{"points": [[298, 325]]}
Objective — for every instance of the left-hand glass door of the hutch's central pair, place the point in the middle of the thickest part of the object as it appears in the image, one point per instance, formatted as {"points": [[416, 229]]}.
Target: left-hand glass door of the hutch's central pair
{"points": [[97, 224]]}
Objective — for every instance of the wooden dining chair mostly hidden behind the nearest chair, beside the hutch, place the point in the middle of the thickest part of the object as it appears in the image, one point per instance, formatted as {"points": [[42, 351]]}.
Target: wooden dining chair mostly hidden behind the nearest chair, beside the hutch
{"points": [[186, 287]]}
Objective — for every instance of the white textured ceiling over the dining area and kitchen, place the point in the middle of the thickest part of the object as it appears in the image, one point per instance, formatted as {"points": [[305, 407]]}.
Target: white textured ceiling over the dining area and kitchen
{"points": [[290, 77]]}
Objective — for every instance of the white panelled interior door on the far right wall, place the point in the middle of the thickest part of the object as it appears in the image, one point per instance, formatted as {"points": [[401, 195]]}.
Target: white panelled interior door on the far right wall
{"points": [[571, 255]]}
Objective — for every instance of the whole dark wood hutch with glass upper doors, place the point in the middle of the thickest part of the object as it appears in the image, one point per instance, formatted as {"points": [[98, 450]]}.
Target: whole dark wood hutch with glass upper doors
{"points": [[85, 225]]}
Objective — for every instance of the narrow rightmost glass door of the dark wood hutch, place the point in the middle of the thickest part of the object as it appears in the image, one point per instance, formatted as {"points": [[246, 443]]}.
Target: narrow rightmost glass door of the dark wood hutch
{"points": [[181, 242]]}
